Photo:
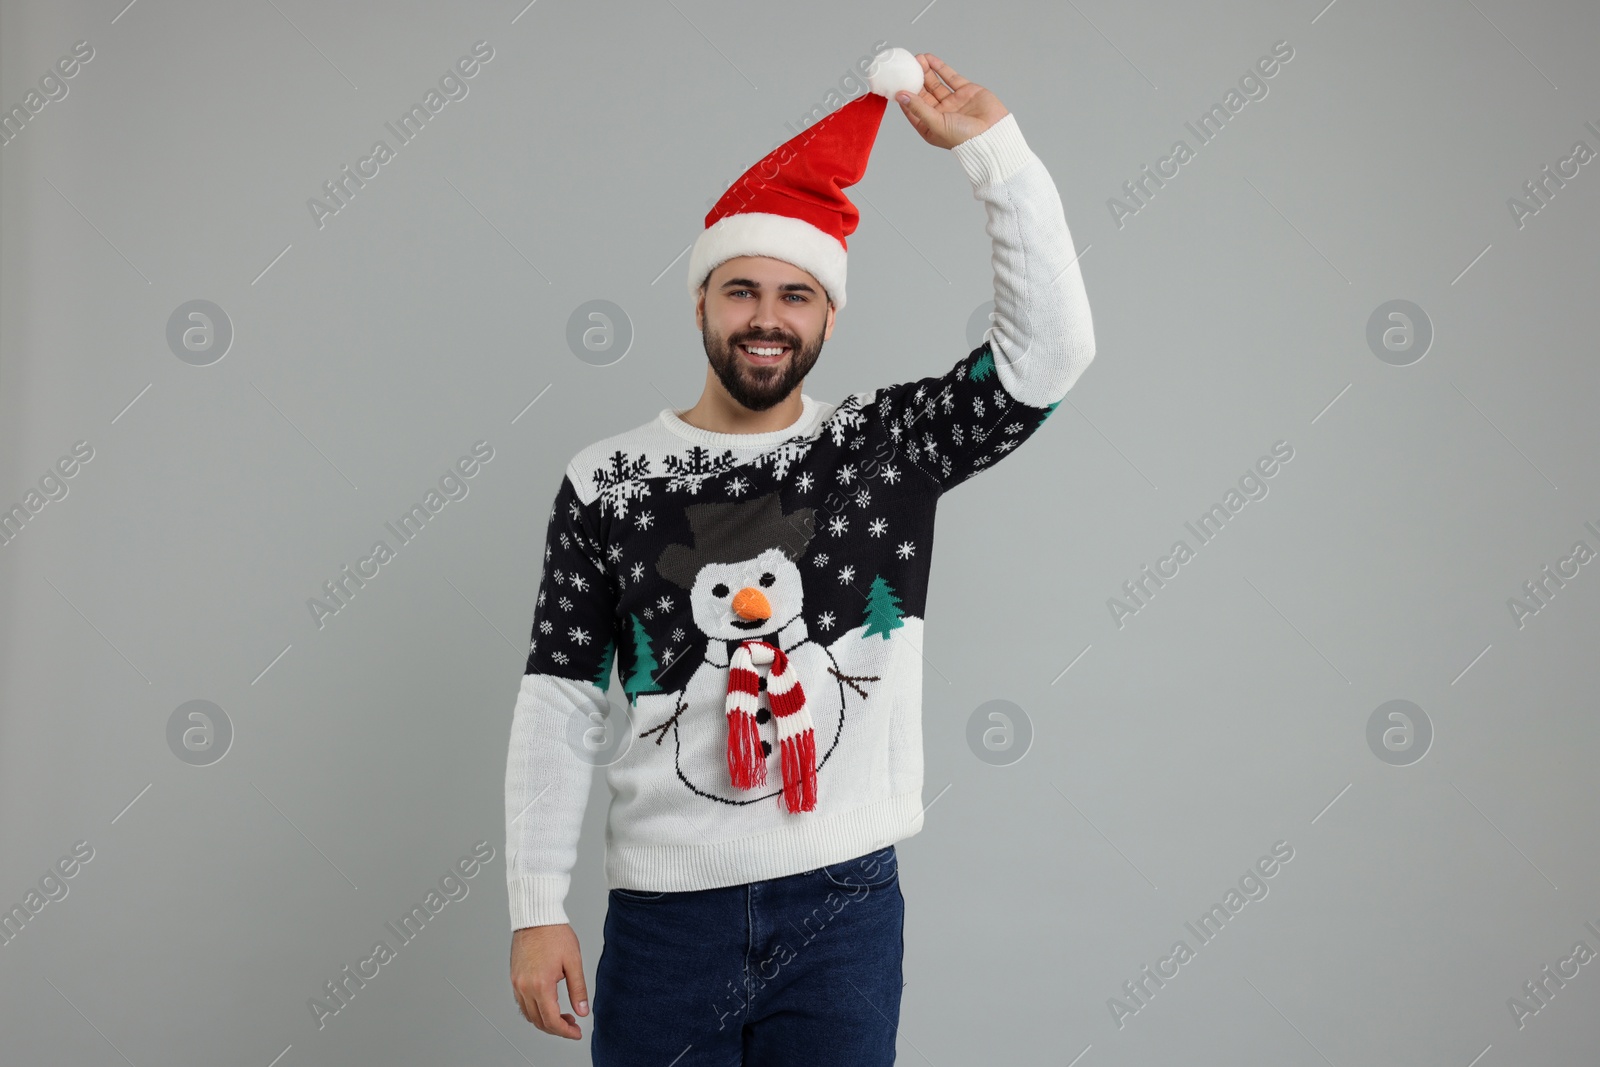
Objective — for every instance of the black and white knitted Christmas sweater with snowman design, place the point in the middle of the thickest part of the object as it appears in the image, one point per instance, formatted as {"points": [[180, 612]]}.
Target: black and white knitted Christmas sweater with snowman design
{"points": [[828, 529]]}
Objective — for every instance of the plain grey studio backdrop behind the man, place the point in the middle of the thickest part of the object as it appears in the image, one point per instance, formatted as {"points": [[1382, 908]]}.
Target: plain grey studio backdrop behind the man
{"points": [[369, 356]]}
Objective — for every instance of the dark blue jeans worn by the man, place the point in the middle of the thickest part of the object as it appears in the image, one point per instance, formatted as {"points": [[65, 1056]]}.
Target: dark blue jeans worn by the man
{"points": [[794, 972]]}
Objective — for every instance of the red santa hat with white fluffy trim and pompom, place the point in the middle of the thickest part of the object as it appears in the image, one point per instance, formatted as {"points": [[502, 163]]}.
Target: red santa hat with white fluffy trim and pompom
{"points": [[793, 206]]}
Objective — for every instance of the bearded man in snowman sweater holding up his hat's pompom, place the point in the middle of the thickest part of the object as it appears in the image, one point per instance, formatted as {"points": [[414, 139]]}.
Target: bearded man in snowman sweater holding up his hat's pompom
{"points": [[758, 567]]}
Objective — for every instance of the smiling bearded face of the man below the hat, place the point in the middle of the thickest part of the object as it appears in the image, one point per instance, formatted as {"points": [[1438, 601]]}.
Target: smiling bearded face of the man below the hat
{"points": [[764, 303]]}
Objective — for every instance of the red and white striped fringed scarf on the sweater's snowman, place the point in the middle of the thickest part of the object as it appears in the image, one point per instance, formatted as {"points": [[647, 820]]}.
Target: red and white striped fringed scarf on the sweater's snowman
{"points": [[796, 741]]}
